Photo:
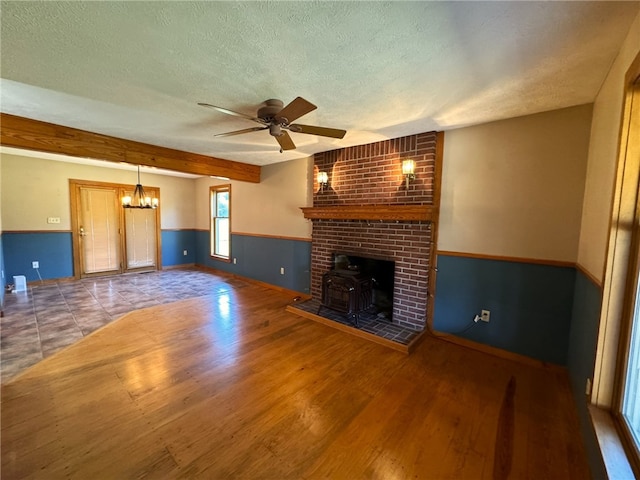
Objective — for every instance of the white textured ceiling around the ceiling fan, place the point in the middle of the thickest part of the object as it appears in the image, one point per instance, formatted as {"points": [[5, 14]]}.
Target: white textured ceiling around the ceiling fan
{"points": [[137, 70]]}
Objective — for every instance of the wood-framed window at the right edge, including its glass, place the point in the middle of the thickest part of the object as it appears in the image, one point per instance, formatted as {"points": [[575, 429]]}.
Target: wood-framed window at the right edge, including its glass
{"points": [[616, 375]]}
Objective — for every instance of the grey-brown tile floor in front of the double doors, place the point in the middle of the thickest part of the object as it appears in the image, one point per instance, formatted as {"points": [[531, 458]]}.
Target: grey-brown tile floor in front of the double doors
{"points": [[46, 318]]}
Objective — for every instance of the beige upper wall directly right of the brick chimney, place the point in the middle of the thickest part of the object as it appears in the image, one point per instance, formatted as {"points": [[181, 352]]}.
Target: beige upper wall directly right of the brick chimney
{"points": [[514, 187]]}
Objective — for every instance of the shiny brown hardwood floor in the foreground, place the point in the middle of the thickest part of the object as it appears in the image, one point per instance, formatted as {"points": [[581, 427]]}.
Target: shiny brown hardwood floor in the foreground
{"points": [[233, 386]]}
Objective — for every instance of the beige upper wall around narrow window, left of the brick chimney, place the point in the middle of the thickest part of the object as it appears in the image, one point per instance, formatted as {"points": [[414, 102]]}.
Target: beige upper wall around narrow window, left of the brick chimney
{"points": [[271, 207]]}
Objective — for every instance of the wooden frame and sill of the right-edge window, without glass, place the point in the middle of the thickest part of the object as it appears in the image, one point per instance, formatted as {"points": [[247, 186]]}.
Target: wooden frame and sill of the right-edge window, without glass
{"points": [[618, 294]]}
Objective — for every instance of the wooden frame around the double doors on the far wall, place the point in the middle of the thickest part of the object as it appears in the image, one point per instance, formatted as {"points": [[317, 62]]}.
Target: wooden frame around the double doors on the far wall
{"points": [[74, 196]]}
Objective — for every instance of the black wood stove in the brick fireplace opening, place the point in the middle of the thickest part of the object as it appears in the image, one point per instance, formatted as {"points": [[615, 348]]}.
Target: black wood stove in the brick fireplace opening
{"points": [[347, 291]]}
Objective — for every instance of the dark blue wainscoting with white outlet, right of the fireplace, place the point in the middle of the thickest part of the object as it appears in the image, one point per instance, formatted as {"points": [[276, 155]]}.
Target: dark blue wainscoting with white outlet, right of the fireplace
{"points": [[531, 304]]}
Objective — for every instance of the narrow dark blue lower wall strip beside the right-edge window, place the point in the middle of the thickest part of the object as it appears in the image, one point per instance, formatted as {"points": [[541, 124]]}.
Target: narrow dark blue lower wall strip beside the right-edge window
{"points": [[583, 340]]}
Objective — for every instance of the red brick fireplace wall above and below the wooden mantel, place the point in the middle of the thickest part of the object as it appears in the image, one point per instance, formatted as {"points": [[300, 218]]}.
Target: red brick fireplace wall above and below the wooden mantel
{"points": [[372, 174]]}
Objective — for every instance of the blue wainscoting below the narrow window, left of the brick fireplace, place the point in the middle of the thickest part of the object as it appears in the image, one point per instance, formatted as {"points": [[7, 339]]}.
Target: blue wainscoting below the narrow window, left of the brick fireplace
{"points": [[260, 258]]}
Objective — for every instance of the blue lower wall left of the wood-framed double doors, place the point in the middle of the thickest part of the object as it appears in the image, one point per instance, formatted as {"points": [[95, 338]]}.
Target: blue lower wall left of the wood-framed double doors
{"points": [[53, 250]]}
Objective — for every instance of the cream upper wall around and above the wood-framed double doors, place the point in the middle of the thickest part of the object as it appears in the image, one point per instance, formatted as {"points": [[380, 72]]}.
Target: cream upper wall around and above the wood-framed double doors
{"points": [[34, 189]]}
